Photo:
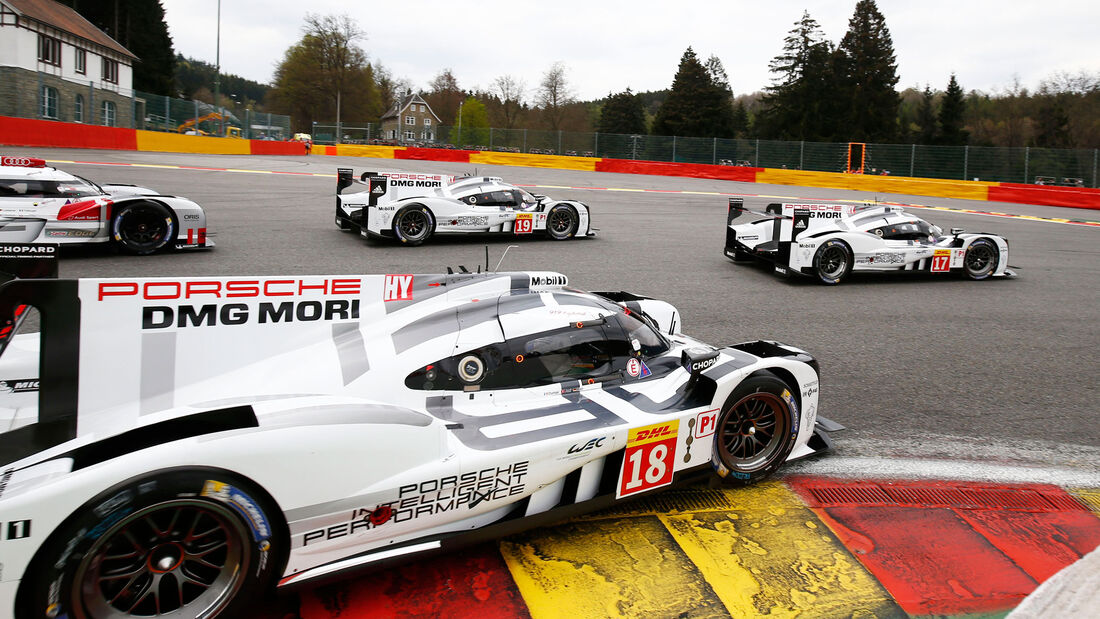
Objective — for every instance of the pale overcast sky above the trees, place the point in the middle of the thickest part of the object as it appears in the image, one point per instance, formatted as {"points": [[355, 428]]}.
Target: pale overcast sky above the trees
{"points": [[609, 46]]}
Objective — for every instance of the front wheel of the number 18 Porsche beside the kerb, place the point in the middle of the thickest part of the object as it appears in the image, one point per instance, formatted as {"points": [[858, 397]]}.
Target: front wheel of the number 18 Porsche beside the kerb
{"points": [[756, 430]]}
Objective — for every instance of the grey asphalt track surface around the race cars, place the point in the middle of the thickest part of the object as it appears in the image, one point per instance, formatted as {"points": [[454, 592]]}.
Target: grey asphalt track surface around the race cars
{"points": [[942, 374]]}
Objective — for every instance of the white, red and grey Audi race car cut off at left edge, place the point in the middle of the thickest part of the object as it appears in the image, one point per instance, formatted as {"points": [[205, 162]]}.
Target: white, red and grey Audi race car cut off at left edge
{"points": [[41, 204]]}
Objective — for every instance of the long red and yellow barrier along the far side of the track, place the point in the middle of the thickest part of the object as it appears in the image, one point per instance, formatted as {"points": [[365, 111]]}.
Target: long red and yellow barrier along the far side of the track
{"points": [[30, 132]]}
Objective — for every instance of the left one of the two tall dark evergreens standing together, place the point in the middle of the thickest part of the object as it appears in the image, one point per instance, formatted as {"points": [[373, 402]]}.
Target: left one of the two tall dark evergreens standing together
{"points": [[801, 105]]}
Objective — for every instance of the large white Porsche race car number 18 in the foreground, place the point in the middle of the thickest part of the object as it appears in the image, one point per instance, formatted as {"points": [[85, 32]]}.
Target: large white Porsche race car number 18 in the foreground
{"points": [[273, 430]]}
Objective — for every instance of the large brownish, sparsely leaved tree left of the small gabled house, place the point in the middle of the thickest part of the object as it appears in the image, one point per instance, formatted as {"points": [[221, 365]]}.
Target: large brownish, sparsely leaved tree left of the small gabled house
{"points": [[326, 78]]}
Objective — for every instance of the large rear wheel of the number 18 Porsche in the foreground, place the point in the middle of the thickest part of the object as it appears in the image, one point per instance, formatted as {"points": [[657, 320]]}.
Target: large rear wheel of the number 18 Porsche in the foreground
{"points": [[184, 543]]}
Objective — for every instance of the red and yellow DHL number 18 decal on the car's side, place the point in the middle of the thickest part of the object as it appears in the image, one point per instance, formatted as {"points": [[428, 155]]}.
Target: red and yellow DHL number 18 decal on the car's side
{"points": [[651, 456]]}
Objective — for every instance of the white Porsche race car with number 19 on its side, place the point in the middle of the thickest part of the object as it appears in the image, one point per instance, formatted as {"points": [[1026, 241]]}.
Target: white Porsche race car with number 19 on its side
{"points": [[413, 207]]}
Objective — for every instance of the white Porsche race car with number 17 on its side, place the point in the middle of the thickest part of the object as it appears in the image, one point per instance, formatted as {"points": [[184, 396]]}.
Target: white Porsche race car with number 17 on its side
{"points": [[830, 241]]}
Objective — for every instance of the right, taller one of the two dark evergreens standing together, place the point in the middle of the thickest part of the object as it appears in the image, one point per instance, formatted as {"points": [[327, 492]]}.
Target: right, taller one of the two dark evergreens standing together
{"points": [[868, 73]]}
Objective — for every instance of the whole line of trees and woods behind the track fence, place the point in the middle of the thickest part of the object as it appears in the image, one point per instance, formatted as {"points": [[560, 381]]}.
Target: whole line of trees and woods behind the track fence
{"points": [[821, 92]]}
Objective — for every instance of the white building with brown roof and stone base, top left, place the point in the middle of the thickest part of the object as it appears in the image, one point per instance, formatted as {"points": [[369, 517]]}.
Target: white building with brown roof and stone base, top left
{"points": [[57, 65]]}
